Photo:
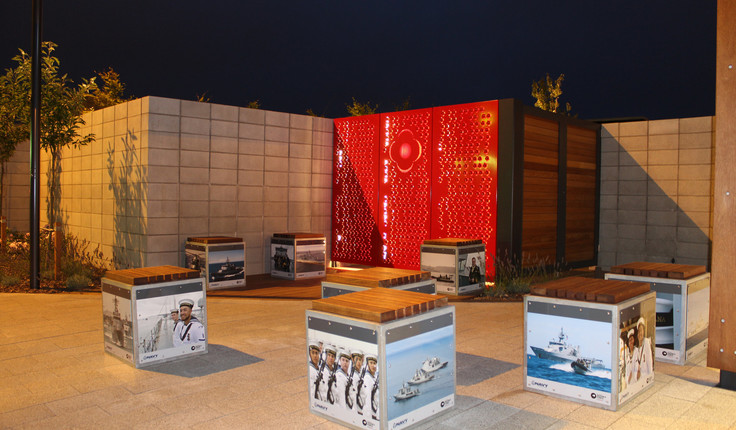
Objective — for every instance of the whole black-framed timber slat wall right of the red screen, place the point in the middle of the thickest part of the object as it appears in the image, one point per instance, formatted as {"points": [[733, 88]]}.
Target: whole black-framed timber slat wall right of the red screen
{"points": [[548, 194]]}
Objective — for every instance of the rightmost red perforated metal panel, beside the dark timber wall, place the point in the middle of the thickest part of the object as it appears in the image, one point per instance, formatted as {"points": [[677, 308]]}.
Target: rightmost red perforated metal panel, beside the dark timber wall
{"points": [[464, 180]]}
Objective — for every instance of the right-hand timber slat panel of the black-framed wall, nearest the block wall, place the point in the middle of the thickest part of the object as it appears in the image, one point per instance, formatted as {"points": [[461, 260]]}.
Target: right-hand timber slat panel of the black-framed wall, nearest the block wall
{"points": [[580, 194]]}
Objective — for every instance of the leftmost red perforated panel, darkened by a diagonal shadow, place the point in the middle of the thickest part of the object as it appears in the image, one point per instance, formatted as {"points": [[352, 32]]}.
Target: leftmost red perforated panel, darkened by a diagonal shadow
{"points": [[355, 237]]}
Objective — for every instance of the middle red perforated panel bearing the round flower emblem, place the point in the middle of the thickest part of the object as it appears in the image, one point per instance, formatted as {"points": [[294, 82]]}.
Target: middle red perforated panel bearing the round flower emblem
{"points": [[404, 186]]}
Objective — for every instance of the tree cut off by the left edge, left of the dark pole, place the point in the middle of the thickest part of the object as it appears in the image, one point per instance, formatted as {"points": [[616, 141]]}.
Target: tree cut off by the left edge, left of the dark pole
{"points": [[13, 130]]}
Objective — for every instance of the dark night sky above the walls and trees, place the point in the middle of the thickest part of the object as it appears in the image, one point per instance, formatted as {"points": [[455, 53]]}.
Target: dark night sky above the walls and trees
{"points": [[621, 58]]}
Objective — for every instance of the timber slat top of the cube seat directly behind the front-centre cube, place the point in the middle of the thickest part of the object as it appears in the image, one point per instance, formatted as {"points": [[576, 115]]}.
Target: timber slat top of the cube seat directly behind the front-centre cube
{"points": [[379, 277]]}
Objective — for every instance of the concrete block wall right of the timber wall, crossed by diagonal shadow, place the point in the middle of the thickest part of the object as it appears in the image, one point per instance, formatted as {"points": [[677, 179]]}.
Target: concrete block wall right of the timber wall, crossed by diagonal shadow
{"points": [[656, 188]]}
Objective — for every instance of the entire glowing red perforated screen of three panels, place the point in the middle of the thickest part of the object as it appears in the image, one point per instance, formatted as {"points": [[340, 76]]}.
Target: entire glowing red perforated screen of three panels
{"points": [[400, 178]]}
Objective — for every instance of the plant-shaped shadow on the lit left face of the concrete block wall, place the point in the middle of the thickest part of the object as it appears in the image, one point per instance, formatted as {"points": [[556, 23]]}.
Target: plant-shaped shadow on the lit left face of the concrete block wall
{"points": [[127, 180]]}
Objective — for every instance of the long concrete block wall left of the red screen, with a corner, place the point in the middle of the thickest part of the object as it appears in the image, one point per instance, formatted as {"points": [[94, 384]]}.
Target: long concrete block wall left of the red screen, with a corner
{"points": [[162, 170]]}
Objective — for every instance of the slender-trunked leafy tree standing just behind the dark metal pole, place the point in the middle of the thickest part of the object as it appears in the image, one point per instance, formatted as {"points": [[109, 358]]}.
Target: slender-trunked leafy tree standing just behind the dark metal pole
{"points": [[62, 106]]}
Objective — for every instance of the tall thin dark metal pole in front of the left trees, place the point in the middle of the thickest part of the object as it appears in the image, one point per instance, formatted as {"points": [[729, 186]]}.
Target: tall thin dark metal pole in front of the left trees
{"points": [[35, 141]]}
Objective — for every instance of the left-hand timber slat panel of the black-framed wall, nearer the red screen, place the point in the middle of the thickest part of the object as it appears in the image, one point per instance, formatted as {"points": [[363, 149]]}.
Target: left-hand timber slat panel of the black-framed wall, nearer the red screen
{"points": [[539, 214]]}
